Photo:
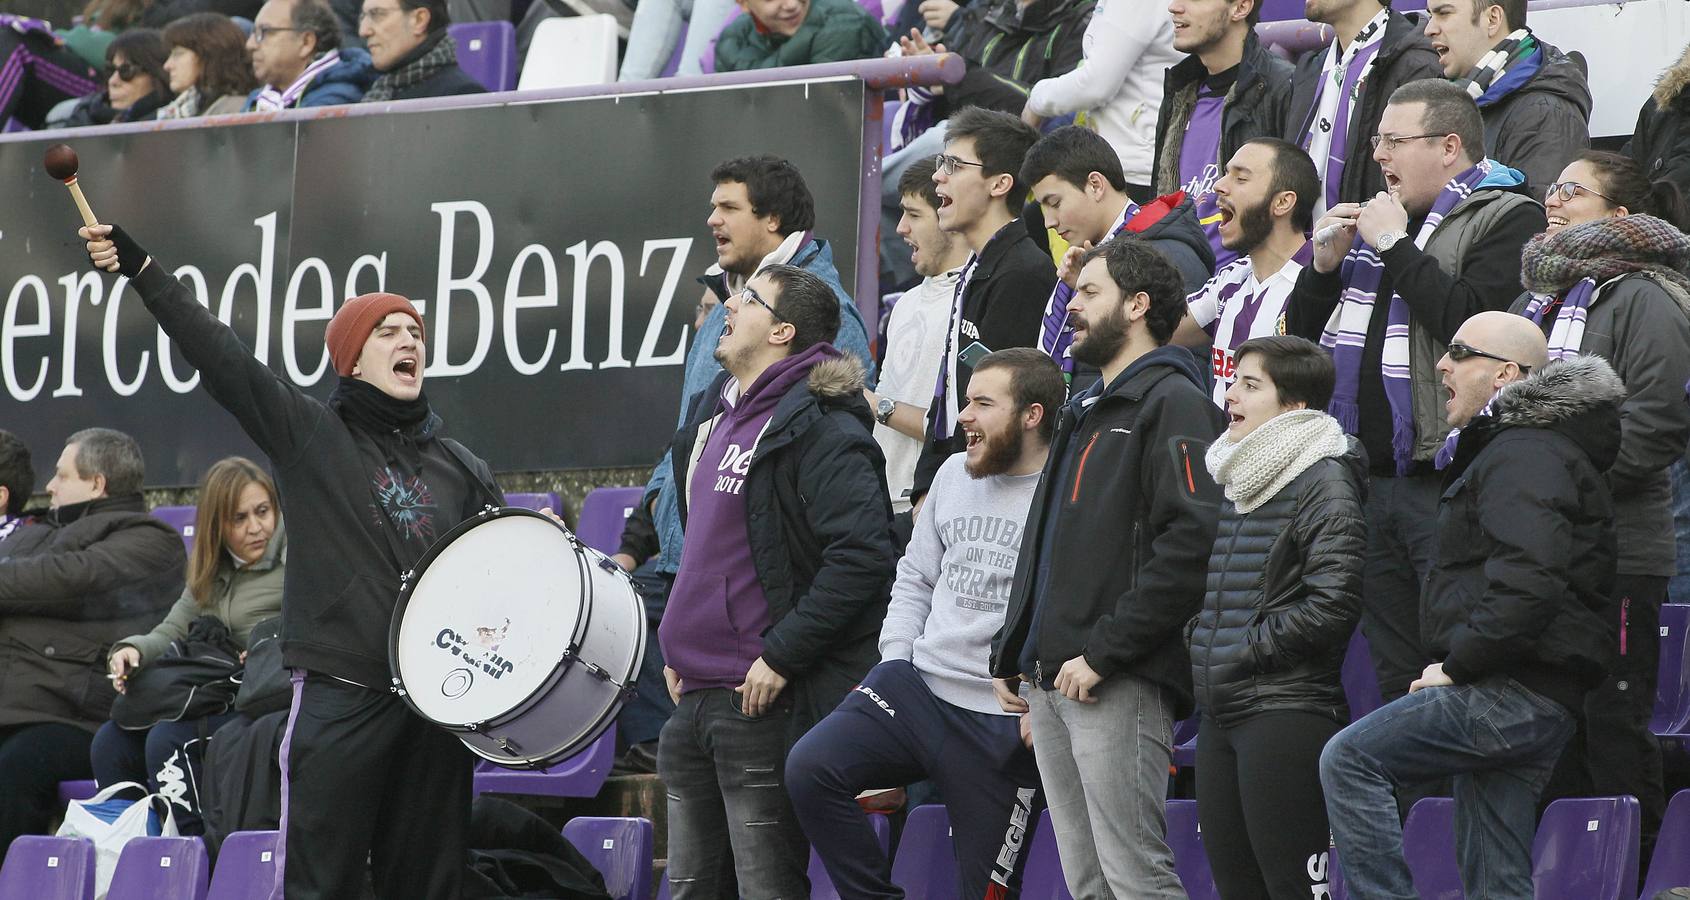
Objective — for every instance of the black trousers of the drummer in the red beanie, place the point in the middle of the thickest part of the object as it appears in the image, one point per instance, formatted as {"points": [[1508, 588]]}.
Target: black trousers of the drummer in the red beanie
{"points": [[369, 786]]}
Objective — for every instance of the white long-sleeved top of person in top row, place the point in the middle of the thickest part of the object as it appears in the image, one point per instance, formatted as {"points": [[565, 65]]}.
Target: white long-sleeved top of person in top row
{"points": [[1128, 50]]}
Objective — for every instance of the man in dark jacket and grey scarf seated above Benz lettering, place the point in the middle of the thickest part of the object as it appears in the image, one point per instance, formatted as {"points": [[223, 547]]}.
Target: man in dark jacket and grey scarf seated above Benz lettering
{"points": [[412, 52]]}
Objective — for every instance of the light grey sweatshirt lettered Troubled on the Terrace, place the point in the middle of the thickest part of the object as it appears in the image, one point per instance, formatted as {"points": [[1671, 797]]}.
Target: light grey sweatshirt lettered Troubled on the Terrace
{"points": [[954, 582]]}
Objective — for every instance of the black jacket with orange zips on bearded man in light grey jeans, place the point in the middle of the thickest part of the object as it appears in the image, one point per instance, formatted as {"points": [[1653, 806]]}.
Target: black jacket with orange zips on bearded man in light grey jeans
{"points": [[1135, 526]]}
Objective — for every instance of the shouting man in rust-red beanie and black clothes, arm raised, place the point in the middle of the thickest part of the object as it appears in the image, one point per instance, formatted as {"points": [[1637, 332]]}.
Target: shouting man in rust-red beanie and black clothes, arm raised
{"points": [[368, 482]]}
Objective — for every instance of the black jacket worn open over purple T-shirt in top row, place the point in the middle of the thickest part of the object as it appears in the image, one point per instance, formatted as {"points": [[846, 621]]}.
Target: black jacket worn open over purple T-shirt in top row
{"points": [[1255, 107]]}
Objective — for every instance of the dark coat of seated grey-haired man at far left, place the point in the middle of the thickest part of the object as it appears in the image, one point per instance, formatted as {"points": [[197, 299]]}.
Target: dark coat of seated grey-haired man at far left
{"points": [[74, 583]]}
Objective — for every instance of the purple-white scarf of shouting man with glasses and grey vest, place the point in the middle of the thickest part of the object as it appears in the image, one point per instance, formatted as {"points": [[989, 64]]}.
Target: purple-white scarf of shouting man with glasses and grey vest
{"points": [[1346, 333]]}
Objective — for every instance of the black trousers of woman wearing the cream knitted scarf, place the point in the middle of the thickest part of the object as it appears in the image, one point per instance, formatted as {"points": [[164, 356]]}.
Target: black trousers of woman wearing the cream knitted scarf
{"points": [[1262, 806]]}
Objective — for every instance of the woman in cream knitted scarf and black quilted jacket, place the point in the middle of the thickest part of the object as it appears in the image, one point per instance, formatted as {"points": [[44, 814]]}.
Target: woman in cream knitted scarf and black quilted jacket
{"points": [[1284, 597]]}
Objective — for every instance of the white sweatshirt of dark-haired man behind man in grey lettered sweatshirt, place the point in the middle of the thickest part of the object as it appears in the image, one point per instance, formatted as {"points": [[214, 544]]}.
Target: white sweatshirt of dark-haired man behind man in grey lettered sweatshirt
{"points": [[915, 345]]}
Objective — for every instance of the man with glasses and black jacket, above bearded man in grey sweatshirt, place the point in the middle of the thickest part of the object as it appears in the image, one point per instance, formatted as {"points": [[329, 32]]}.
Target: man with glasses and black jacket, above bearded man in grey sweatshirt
{"points": [[1001, 295]]}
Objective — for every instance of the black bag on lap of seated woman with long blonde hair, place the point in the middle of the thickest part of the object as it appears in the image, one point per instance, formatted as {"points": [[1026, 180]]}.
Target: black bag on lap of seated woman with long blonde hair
{"points": [[197, 678]]}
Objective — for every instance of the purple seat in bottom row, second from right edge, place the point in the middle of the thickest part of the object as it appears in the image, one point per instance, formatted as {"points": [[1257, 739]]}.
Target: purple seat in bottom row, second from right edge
{"points": [[1588, 850]]}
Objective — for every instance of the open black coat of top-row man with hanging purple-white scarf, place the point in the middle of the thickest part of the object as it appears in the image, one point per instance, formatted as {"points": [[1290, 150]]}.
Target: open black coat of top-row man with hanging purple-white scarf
{"points": [[1405, 55]]}
